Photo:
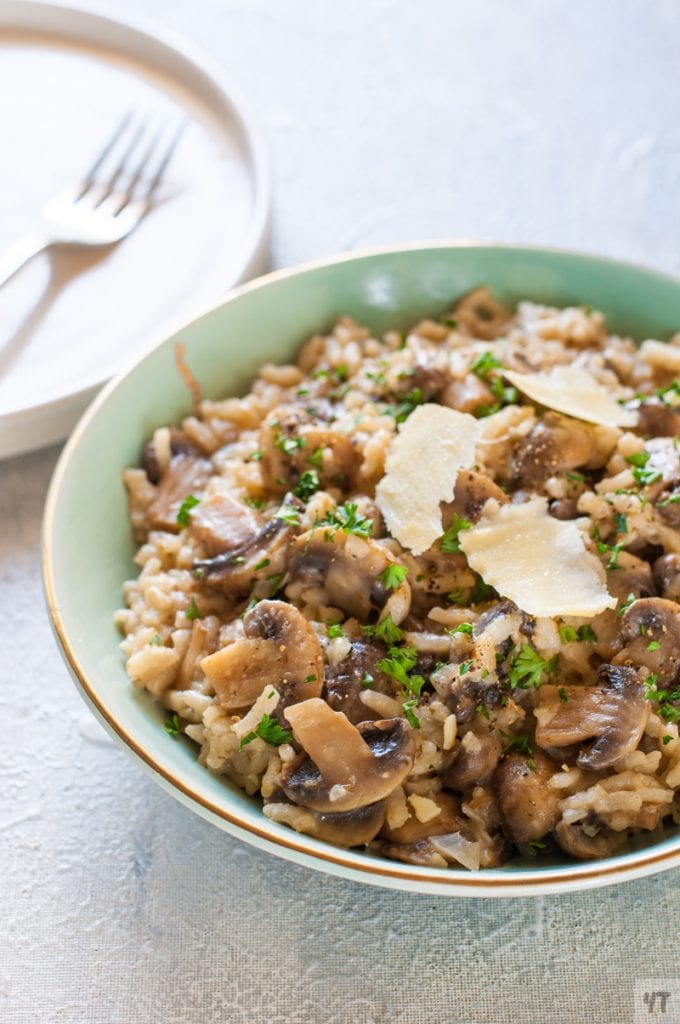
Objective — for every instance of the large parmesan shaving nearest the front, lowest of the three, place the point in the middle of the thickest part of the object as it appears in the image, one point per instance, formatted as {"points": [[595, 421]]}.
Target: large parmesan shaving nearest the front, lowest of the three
{"points": [[539, 563]]}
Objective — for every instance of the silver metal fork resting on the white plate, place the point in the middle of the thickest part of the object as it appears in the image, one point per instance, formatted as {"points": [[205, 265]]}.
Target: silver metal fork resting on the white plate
{"points": [[104, 207]]}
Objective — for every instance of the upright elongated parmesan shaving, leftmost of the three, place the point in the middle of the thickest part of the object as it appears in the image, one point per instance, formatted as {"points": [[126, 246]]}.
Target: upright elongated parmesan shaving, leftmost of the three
{"points": [[421, 468]]}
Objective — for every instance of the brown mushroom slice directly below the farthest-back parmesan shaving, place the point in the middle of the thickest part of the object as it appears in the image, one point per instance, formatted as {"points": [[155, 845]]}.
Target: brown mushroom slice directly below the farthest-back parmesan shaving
{"points": [[557, 444]]}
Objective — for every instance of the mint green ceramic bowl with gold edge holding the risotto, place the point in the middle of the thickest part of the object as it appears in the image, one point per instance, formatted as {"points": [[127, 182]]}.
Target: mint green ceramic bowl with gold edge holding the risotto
{"points": [[89, 548]]}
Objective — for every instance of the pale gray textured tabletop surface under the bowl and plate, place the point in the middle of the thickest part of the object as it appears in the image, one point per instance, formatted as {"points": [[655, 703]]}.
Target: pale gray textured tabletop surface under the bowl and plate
{"points": [[534, 121]]}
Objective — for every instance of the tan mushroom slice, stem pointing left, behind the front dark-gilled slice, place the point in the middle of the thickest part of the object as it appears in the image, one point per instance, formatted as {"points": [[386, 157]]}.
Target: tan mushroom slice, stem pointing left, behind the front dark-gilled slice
{"points": [[280, 650]]}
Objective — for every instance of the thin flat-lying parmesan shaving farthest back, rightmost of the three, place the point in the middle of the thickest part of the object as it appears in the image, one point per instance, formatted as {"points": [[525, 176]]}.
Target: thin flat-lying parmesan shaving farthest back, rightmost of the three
{"points": [[576, 393]]}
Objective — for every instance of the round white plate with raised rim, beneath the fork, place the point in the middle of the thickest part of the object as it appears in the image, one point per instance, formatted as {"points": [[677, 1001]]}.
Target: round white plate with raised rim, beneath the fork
{"points": [[70, 321]]}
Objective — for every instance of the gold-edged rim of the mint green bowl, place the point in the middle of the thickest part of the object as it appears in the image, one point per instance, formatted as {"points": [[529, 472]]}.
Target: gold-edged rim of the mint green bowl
{"points": [[330, 859]]}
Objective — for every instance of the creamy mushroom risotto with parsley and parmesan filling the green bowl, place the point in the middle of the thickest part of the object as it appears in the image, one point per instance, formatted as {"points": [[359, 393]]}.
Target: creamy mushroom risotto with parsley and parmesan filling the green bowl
{"points": [[420, 592]]}
